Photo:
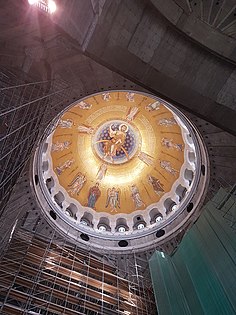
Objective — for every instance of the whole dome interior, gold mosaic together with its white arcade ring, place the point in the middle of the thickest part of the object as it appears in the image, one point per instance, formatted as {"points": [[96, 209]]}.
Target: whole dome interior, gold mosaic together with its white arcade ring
{"points": [[119, 162]]}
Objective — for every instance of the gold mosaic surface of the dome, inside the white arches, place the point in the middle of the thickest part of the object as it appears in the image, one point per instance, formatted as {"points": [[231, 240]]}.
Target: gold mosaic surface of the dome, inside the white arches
{"points": [[117, 152]]}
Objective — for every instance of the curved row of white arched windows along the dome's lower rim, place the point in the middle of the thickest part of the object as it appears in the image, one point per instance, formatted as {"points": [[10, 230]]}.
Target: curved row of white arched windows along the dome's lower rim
{"points": [[121, 224]]}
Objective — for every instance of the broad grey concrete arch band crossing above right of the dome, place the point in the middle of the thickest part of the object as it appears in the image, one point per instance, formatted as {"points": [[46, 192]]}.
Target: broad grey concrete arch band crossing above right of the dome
{"points": [[135, 40]]}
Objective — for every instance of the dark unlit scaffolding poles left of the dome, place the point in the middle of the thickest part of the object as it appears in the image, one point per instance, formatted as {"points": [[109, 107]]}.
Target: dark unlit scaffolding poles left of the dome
{"points": [[26, 107]]}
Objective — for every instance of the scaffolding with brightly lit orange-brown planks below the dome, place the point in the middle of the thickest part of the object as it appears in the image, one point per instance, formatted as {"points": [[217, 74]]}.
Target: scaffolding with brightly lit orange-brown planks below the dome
{"points": [[52, 276]]}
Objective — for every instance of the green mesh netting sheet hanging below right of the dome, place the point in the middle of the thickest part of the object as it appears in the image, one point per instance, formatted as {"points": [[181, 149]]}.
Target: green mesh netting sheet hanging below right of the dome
{"points": [[200, 278]]}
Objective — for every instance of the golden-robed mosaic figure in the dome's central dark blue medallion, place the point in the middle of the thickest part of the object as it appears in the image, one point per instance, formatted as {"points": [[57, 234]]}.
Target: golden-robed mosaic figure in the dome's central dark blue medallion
{"points": [[116, 142]]}
